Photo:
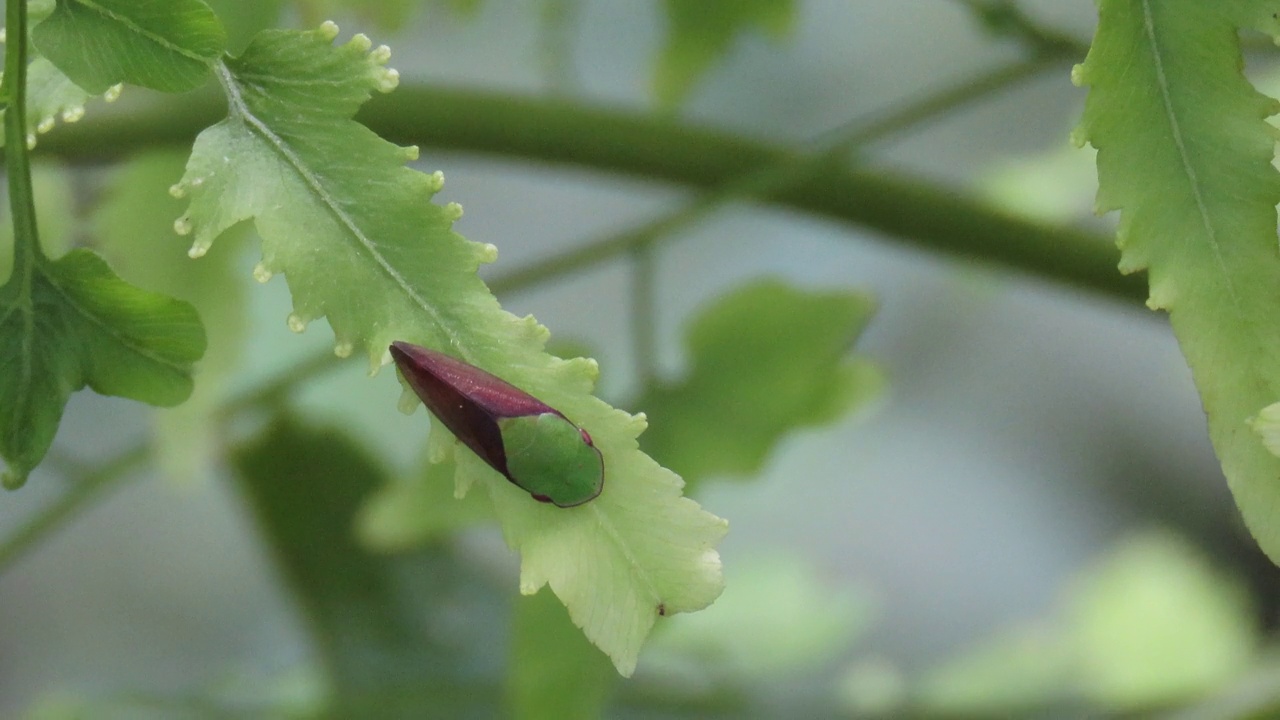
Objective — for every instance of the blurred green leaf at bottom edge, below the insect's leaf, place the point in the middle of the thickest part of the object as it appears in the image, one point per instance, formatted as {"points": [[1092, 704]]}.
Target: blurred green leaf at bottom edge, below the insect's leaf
{"points": [[555, 672]]}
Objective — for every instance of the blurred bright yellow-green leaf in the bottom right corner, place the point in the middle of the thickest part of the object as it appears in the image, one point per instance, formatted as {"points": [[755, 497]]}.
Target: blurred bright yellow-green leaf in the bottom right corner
{"points": [[1150, 625]]}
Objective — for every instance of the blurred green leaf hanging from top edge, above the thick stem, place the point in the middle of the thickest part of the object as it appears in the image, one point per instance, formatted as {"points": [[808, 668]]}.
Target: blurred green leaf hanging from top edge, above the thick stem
{"points": [[702, 31]]}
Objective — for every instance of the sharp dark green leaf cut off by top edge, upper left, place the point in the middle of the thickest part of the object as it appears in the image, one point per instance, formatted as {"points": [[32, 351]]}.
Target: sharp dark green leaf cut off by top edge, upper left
{"points": [[166, 45]]}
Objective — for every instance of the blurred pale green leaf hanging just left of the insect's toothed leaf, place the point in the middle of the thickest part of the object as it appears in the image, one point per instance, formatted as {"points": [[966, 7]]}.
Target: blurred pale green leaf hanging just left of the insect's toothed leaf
{"points": [[135, 231]]}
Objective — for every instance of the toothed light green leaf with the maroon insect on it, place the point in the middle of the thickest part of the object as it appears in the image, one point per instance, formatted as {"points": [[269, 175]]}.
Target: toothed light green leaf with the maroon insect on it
{"points": [[359, 243]]}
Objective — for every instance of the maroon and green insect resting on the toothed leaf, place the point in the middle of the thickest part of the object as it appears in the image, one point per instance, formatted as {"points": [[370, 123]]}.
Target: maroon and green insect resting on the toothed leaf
{"points": [[532, 444]]}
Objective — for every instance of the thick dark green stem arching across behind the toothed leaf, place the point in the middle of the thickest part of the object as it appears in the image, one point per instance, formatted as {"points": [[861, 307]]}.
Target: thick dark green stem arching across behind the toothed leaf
{"points": [[893, 206]]}
